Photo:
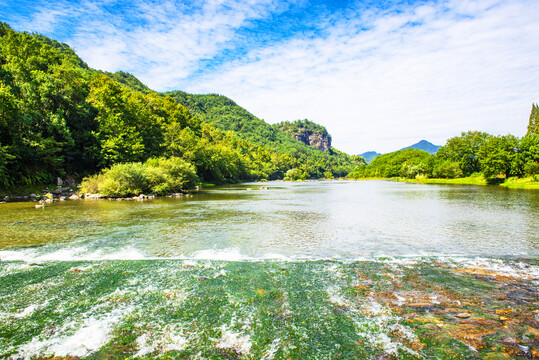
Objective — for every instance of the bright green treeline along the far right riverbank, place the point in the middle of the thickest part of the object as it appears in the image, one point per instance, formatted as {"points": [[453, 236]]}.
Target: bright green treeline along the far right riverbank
{"points": [[472, 152]]}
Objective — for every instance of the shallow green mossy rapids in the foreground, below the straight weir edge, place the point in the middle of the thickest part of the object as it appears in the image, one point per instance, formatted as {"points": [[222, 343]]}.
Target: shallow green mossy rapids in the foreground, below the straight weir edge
{"points": [[246, 310]]}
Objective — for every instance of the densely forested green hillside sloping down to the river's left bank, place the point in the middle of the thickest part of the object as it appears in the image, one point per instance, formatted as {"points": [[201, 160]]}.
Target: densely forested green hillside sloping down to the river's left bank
{"points": [[59, 118]]}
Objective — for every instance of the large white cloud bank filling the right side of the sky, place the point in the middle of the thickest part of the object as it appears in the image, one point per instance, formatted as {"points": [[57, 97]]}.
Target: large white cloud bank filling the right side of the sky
{"points": [[466, 65]]}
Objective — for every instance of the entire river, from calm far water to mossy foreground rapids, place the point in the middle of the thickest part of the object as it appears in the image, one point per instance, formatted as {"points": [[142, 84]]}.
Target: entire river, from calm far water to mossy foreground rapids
{"points": [[267, 270]]}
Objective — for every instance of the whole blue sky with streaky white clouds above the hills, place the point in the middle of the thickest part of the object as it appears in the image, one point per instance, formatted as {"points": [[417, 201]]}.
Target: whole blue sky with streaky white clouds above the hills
{"points": [[380, 75]]}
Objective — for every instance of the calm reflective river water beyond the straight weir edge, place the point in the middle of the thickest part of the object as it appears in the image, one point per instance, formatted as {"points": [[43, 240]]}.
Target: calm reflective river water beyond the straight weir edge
{"points": [[341, 220]]}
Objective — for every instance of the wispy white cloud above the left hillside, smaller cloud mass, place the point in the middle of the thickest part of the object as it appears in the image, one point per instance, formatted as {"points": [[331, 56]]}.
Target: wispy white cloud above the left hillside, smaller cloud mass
{"points": [[171, 42]]}
